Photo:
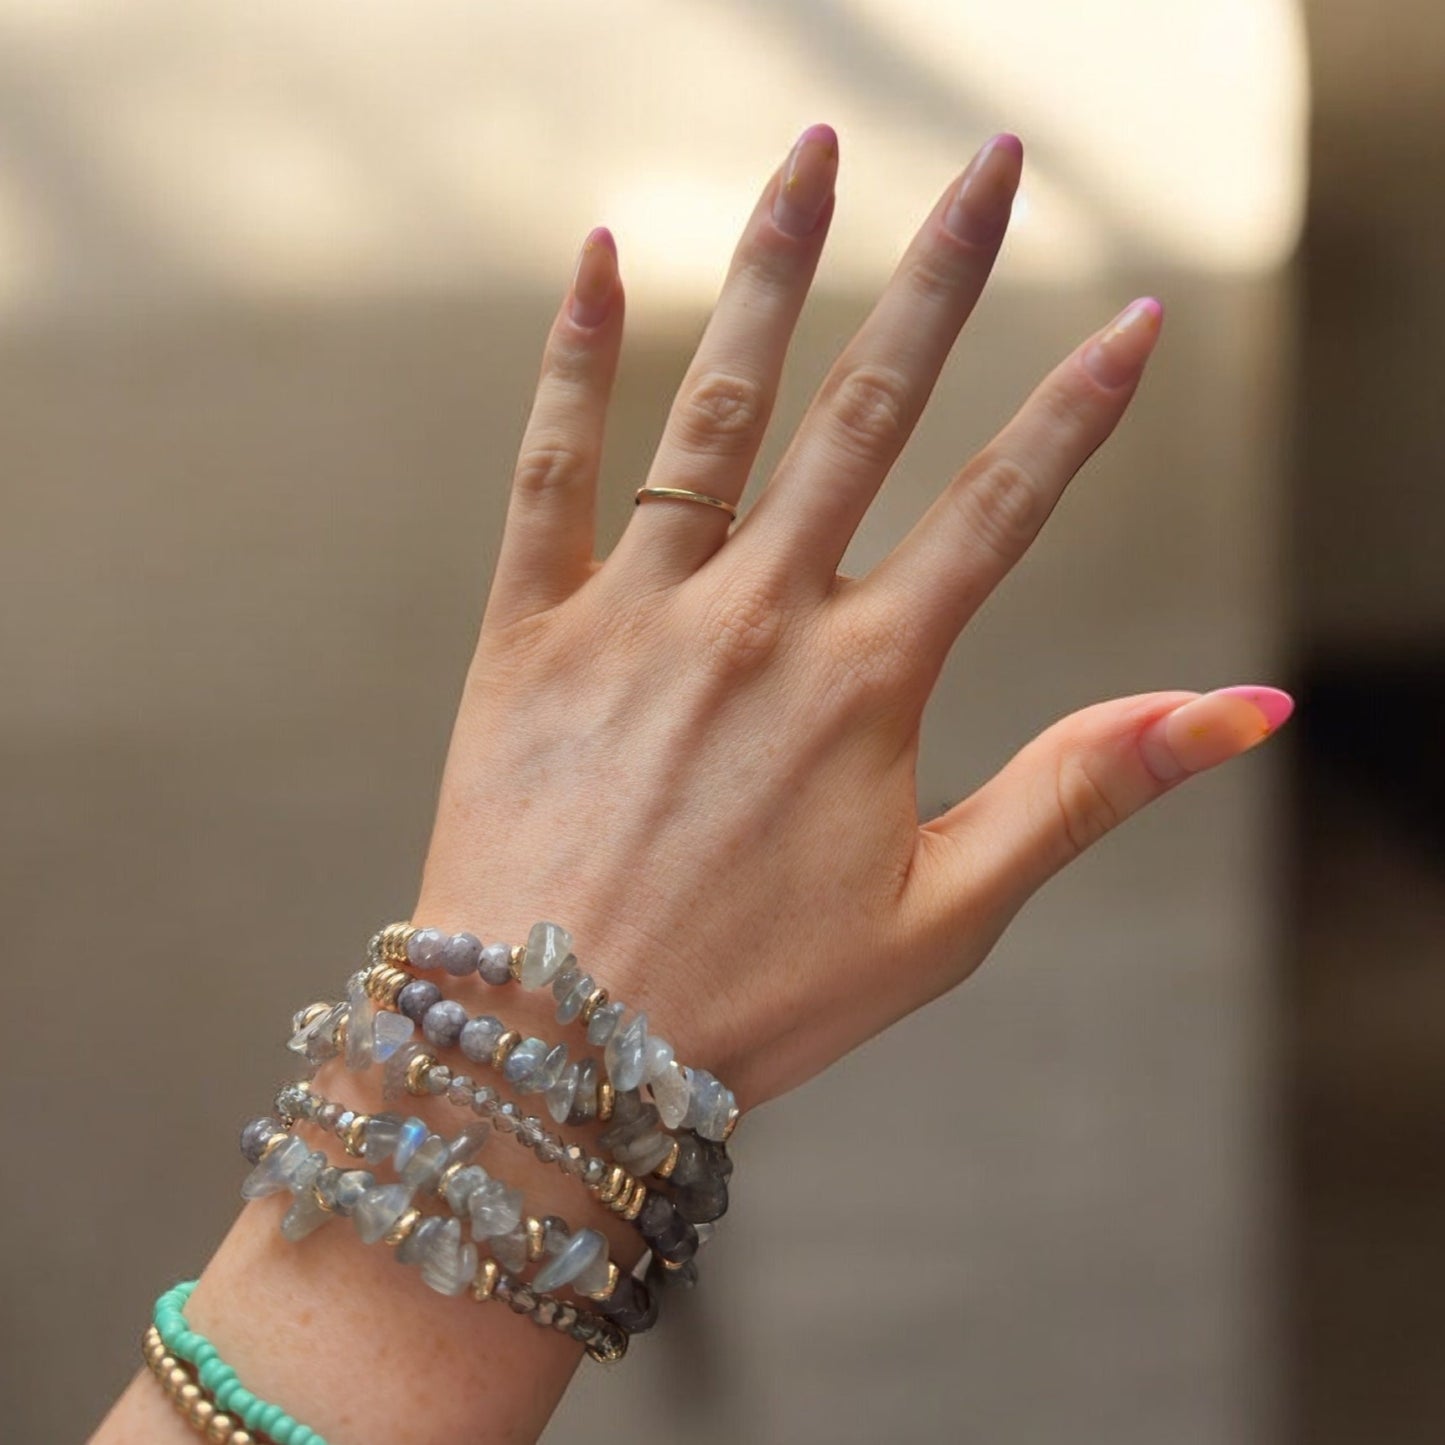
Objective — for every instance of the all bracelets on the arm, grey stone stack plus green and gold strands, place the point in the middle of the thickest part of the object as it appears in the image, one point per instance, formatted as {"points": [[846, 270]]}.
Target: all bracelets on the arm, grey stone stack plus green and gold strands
{"points": [[661, 1164]]}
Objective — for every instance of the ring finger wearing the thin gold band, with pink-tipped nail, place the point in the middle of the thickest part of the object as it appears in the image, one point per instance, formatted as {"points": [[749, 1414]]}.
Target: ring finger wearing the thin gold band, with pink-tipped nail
{"points": [[723, 405]]}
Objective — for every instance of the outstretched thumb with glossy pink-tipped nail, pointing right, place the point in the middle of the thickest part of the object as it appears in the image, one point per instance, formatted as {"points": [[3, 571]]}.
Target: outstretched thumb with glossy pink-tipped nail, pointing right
{"points": [[1089, 772]]}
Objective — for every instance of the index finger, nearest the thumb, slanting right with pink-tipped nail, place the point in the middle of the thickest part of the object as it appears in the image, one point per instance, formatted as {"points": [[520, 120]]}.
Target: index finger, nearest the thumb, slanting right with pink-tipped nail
{"points": [[995, 508]]}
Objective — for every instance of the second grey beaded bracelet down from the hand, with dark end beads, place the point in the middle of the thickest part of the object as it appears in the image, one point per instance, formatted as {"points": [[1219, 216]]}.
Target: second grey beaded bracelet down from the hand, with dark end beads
{"points": [[696, 1168]]}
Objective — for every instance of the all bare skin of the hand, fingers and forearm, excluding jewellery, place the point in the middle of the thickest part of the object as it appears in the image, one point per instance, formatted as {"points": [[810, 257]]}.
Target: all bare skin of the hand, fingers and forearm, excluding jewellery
{"points": [[703, 749]]}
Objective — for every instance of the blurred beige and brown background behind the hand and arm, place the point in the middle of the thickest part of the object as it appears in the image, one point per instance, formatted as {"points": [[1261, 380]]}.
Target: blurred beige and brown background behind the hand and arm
{"points": [[274, 287]]}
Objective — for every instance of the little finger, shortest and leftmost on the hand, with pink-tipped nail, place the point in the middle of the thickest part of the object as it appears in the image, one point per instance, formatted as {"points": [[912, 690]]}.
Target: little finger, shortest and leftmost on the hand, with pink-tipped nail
{"points": [[547, 547]]}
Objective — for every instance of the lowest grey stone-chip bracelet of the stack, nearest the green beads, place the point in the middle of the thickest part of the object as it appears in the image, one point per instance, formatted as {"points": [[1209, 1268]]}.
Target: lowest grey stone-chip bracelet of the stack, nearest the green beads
{"points": [[449, 1267]]}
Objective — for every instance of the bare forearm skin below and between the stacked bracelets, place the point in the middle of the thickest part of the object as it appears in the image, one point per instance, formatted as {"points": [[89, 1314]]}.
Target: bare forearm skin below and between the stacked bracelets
{"points": [[359, 1349]]}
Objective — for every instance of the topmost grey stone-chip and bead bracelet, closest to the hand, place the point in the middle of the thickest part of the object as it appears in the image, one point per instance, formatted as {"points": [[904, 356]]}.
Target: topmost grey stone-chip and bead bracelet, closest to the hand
{"points": [[693, 1099]]}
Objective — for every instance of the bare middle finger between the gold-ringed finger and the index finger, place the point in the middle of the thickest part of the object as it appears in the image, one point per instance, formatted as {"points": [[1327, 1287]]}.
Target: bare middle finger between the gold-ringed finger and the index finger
{"points": [[876, 391]]}
